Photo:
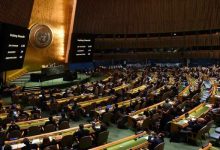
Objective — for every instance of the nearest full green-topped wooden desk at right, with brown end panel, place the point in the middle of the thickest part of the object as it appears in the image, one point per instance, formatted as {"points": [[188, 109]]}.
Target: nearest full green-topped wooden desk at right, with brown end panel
{"points": [[182, 122]]}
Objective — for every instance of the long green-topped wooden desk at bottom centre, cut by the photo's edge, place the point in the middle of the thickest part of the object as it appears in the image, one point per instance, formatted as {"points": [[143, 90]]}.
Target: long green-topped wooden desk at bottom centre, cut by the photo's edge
{"points": [[131, 143]]}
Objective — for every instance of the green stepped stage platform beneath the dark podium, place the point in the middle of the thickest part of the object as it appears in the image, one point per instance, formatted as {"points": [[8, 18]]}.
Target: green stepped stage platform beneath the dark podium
{"points": [[25, 82]]}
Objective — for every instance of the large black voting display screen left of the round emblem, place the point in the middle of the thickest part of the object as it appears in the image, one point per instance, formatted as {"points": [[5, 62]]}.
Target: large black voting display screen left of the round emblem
{"points": [[13, 44]]}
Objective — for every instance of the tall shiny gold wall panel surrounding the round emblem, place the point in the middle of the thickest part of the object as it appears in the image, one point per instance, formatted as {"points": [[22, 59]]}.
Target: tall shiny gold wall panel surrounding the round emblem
{"points": [[57, 14]]}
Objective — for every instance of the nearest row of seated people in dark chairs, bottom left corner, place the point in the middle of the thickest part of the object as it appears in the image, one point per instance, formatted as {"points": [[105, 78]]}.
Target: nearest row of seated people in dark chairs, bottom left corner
{"points": [[83, 138]]}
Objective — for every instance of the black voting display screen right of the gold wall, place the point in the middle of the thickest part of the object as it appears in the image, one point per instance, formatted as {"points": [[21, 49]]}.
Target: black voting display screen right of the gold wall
{"points": [[81, 48]]}
